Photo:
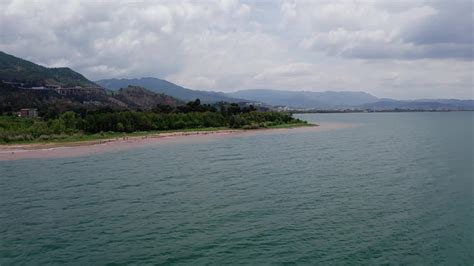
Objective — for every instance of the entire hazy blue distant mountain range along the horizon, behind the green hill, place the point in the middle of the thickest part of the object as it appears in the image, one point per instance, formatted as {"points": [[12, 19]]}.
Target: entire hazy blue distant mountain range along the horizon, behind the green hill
{"points": [[328, 100]]}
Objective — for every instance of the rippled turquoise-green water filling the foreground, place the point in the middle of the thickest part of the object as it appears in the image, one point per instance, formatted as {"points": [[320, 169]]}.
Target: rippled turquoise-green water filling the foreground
{"points": [[397, 188]]}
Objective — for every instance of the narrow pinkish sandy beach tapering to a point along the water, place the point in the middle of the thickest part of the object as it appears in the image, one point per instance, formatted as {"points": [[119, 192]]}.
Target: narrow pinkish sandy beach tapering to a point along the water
{"points": [[82, 148]]}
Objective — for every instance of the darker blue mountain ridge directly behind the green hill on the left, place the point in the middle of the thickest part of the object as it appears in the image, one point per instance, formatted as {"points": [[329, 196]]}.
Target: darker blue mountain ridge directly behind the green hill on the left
{"points": [[165, 87]]}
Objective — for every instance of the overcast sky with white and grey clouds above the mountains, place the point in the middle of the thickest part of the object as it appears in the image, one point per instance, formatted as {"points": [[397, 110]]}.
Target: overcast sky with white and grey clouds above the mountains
{"points": [[396, 48]]}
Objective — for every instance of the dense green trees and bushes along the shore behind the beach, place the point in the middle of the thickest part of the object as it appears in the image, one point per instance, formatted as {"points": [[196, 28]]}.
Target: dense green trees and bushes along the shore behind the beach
{"points": [[193, 115]]}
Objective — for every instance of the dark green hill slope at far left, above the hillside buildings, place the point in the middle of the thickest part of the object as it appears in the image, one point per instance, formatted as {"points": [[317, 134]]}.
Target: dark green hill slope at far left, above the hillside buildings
{"points": [[15, 69]]}
